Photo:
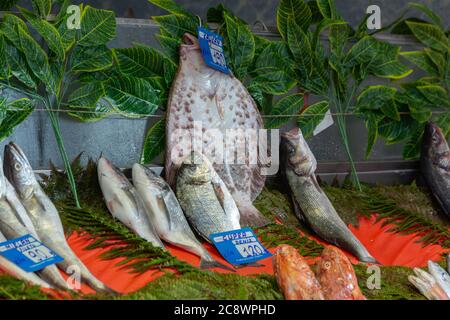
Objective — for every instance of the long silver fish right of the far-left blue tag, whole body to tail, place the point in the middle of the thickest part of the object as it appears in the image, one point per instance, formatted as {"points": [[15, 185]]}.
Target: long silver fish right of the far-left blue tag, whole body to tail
{"points": [[43, 213]]}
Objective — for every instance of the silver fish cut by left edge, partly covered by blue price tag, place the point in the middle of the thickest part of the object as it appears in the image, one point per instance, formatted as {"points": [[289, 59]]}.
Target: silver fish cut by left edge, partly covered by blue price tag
{"points": [[14, 223]]}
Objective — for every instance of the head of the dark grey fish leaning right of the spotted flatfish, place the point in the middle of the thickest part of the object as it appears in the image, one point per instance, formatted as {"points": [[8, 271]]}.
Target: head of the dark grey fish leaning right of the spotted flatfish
{"points": [[297, 154]]}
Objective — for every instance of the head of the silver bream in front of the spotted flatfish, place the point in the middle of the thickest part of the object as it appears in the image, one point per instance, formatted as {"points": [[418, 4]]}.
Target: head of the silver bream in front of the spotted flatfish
{"points": [[196, 169]]}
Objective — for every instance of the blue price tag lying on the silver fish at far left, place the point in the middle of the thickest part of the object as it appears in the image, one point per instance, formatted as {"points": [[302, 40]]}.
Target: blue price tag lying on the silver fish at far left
{"points": [[28, 253]]}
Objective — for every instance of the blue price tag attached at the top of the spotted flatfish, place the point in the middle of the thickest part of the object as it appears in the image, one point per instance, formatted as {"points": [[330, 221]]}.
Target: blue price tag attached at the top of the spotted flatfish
{"points": [[211, 45]]}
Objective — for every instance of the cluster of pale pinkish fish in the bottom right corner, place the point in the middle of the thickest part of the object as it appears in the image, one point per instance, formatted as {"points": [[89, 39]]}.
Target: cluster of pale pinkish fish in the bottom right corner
{"points": [[434, 284]]}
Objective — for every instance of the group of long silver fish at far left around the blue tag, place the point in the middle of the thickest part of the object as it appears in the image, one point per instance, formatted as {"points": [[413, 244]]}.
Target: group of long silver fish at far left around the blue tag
{"points": [[26, 209]]}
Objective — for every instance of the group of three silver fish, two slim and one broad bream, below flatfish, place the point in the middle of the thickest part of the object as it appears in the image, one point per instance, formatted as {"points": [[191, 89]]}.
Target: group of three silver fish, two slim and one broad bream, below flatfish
{"points": [[151, 209]]}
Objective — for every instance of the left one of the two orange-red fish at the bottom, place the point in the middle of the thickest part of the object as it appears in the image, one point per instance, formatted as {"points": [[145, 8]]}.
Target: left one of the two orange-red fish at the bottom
{"points": [[294, 276]]}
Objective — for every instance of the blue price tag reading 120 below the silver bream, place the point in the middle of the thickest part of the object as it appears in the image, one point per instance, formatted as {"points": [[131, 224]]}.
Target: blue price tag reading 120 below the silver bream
{"points": [[239, 246]]}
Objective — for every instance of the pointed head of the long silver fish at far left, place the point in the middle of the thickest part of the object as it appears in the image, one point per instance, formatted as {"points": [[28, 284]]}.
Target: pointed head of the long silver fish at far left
{"points": [[18, 170]]}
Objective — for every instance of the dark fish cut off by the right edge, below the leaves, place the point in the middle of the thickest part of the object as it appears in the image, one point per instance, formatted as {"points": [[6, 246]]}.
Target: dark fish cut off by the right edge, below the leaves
{"points": [[435, 165]]}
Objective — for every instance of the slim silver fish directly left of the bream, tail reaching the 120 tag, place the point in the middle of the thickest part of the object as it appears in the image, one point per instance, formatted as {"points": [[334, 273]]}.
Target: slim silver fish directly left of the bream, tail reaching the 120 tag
{"points": [[166, 215]]}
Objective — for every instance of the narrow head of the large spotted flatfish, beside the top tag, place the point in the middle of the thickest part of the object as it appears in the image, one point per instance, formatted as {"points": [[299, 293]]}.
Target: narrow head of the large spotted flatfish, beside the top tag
{"points": [[191, 59]]}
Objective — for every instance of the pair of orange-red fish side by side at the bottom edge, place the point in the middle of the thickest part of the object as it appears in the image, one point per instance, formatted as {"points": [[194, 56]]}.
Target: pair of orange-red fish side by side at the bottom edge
{"points": [[332, 278]]}
